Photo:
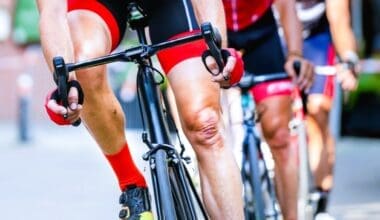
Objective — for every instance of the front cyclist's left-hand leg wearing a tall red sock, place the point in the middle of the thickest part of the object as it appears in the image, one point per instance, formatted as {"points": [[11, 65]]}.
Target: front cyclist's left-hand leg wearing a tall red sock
{"points": [[102, 113]]}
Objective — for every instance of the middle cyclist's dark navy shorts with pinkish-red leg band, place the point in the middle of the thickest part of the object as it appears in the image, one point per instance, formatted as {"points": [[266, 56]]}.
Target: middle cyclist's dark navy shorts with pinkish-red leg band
{"points": [[262, 54]]}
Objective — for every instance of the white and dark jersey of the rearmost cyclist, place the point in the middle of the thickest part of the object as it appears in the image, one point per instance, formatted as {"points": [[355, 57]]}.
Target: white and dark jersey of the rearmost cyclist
{"points": [[312, 14]]}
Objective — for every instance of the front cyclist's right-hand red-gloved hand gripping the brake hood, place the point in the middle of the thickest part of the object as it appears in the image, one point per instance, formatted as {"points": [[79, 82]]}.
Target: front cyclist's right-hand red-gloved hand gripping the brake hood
{"points": [[233, 69]]}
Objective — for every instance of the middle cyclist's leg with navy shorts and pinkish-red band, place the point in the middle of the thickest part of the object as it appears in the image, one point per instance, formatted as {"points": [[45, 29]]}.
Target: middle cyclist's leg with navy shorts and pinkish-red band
{"points": [[275, 114]]}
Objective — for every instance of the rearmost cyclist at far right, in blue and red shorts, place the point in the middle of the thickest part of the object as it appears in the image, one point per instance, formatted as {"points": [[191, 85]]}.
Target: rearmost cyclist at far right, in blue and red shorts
{"points": [[326, 30]]}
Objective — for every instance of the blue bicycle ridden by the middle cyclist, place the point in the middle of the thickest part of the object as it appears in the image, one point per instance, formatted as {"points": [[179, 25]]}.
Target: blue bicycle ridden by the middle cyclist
{"points": [[259, 191]]}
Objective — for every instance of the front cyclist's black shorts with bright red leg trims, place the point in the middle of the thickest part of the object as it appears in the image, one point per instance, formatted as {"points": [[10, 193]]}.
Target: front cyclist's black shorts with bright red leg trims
{"points": [[167, 19]]}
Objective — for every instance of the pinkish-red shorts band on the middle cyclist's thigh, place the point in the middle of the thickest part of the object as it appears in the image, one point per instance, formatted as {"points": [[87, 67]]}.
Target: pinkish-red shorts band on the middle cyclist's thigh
{"points": [[273, 88]]}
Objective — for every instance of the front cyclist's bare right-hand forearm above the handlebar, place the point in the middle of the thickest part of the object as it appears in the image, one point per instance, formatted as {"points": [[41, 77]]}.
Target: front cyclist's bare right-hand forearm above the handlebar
{"points": [[212, 11]]}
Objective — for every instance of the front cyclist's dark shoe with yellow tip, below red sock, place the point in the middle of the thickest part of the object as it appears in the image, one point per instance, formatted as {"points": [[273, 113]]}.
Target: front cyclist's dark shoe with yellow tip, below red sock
{"points": [[135, 204]]}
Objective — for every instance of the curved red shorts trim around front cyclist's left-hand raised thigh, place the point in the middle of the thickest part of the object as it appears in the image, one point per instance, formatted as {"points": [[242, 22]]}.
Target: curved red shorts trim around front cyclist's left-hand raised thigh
{"points": [[103, 12]]}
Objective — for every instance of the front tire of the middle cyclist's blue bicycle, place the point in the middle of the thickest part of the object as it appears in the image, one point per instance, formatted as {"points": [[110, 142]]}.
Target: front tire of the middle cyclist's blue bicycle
{"points": [[251, 176]]}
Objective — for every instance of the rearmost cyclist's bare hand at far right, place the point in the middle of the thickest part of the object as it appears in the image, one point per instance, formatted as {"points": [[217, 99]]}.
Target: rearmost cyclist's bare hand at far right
{"points": [[347, 76]]}
